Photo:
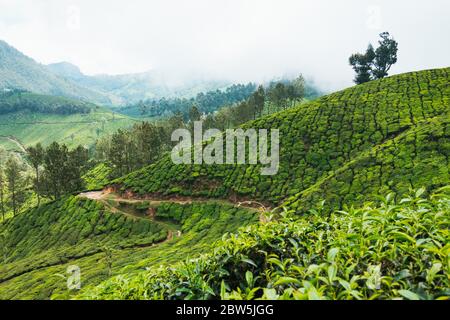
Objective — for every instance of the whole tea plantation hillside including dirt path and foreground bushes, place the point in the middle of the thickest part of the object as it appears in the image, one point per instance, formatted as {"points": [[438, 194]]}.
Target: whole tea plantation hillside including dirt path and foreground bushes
{"points": [[347, 148]]}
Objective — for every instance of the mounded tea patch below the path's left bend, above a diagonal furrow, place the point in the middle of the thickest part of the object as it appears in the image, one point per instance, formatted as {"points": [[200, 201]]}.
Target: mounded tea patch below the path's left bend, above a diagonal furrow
{"points": [[74, 225]]}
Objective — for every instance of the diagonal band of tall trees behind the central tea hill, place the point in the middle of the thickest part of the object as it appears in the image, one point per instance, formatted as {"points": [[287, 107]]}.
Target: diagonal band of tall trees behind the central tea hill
{"points": [[144, 143]]}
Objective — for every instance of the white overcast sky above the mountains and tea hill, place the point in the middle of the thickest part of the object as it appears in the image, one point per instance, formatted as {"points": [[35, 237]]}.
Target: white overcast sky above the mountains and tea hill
{"points": [[235, 40]]}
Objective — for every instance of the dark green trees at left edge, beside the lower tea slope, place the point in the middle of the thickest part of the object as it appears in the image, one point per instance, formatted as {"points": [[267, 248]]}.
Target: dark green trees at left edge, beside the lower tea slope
{"points": [[57, 171]]}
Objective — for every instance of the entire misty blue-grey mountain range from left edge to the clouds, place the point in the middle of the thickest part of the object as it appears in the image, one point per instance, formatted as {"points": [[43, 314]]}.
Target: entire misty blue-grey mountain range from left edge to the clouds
{"points": [[18, 71]]}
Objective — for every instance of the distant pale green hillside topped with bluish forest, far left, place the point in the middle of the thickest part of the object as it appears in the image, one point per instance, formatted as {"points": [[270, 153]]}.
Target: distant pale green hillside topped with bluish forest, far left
{"points": [[27, 118]]}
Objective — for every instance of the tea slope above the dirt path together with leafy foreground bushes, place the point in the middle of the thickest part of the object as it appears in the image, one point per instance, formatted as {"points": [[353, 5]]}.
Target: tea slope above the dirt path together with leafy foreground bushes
{"points": [[337, 237]]}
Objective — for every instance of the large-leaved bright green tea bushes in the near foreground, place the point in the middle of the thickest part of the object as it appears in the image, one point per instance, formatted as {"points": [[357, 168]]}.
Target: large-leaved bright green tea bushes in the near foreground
{"points": [[393, 250]]}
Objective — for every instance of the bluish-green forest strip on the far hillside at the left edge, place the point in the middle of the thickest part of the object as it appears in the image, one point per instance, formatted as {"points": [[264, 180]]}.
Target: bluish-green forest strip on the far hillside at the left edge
{"points": [[19, 100]]}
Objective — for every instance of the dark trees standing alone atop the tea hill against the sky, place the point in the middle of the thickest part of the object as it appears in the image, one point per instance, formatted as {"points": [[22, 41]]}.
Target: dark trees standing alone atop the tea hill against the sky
{"points": [[375, 63]]}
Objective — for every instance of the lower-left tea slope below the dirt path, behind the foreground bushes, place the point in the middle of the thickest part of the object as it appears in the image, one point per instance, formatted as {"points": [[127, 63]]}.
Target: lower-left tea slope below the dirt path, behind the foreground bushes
{"points": [[38, 245]]}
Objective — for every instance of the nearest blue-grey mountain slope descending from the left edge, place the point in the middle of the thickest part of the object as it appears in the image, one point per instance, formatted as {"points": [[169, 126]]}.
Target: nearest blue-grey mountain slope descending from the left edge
{"points": [[17, 71]]}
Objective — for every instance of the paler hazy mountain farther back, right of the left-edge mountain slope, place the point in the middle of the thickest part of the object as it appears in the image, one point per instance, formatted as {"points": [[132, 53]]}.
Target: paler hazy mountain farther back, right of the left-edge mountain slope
{"points": [[130, 88]]}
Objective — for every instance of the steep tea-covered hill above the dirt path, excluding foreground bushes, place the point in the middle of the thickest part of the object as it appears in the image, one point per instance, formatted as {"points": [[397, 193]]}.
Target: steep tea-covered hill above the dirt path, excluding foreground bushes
{"points": [[406, 116]]}
